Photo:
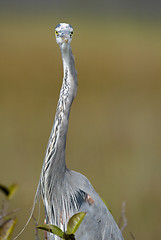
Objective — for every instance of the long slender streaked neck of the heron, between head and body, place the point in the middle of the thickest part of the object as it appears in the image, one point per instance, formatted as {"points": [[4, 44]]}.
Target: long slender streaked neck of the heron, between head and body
{"points": [[57, 140]]}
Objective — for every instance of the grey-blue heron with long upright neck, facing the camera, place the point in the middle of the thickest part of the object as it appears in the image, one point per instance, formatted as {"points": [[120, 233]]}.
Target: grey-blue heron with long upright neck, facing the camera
{"points": [[65, 192]]}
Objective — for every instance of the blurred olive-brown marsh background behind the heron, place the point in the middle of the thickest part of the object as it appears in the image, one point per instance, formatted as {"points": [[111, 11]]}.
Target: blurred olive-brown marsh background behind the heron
{"points": [[114, 135]]}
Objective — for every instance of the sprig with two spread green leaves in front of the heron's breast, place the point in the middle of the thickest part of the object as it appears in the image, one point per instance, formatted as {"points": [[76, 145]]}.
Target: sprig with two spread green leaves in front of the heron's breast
{"points": [[72, 226]]}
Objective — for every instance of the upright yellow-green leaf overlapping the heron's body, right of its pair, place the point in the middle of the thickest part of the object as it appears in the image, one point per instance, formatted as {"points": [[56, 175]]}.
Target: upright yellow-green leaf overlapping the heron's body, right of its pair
{"points": [[74, 222]]}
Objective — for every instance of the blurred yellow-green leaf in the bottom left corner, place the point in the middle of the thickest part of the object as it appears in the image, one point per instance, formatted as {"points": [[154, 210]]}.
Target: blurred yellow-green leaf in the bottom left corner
{"points": [[6, 228]]}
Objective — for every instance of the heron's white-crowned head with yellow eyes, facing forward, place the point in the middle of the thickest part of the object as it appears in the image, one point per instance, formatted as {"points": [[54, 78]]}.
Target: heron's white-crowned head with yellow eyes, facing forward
{"points": [[63, 34]]}
